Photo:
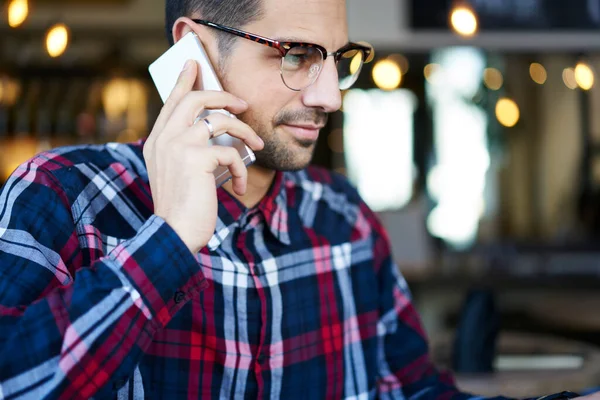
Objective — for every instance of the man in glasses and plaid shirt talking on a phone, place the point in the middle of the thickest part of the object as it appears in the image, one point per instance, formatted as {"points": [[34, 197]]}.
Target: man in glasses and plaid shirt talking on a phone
{"points": [[124, 272]]}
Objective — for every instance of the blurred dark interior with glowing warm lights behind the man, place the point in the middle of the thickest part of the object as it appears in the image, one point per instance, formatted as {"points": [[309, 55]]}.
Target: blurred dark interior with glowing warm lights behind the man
{"points": [[474, 133]]}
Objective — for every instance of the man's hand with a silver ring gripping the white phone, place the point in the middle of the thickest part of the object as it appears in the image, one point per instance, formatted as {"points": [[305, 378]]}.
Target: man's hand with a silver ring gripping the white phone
{"points": [[181, 162]]}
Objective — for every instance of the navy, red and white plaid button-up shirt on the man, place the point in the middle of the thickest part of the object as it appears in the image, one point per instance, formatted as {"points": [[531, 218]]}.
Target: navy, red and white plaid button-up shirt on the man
{"points": [[297, 297]]}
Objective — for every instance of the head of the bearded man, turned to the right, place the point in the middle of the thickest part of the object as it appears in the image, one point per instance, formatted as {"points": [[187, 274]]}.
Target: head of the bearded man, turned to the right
{"points": [[288, 121]]}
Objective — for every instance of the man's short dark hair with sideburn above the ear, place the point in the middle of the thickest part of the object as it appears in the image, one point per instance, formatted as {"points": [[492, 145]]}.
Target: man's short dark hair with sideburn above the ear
{"points": [[234, 13]]}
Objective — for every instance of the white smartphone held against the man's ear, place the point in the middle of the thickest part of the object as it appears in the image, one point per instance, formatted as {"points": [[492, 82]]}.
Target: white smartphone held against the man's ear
{"points": [[166, 70]]}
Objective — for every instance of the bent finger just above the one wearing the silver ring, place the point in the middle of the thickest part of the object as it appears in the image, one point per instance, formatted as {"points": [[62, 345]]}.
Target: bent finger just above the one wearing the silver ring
{"points": [[194, 103]]}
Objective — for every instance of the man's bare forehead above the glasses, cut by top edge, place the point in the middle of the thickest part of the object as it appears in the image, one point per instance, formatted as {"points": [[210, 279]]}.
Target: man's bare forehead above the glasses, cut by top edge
{"points": [[317, 21]]}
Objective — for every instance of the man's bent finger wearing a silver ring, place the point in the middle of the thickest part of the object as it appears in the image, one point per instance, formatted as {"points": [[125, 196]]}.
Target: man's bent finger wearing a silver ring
{"points": [[223, 124]]}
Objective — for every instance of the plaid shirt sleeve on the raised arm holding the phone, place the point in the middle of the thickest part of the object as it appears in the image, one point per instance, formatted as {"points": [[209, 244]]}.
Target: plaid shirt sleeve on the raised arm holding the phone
{"points": [[68, 329]]}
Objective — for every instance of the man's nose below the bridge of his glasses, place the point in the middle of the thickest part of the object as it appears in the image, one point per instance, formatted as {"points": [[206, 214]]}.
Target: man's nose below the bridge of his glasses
{"points": [[324, 93]]}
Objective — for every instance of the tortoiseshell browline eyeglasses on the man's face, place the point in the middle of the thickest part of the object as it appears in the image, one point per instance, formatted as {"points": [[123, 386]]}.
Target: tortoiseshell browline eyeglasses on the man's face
{"points": [[301, 63]]}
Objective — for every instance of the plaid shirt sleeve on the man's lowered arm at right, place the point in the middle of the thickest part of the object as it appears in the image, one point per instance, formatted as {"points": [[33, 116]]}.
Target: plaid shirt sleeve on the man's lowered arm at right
{"points": [[405, 368]]}
